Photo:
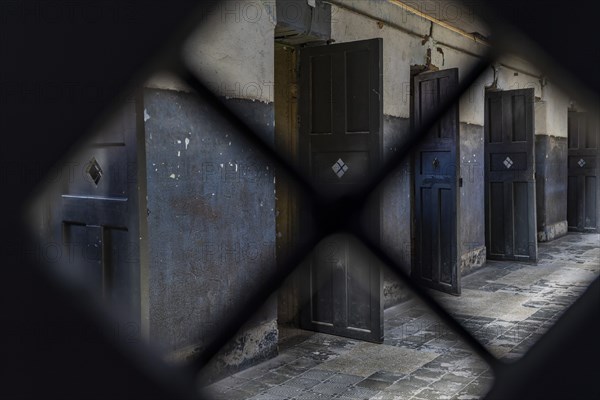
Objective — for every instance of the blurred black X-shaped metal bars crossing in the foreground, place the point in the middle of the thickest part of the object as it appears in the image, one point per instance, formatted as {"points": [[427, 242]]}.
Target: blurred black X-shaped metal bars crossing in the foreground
{"points": [[332, 216]]}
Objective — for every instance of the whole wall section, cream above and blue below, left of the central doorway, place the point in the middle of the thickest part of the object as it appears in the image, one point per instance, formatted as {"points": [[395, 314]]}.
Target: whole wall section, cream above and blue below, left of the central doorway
{"points": [[211, 201]]}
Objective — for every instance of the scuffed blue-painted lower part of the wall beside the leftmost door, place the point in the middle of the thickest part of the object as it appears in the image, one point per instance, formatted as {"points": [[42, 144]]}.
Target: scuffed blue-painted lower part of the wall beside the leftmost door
{"points": [[210, 217]]}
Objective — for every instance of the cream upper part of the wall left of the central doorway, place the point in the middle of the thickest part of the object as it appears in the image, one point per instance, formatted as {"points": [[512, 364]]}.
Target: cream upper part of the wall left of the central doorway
{"points": [[233, 51]]}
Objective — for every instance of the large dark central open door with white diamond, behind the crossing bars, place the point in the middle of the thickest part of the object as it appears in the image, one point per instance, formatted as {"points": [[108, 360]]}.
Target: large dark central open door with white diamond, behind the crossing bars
{"points": [[341, 111]]}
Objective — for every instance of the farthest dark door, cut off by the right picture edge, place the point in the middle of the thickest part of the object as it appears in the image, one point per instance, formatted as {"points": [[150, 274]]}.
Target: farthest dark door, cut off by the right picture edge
{"points": [[583, 170]]}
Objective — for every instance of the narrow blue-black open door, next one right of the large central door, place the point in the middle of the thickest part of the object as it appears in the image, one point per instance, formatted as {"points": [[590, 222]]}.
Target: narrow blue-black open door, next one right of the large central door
{"points": [[435, 259]]}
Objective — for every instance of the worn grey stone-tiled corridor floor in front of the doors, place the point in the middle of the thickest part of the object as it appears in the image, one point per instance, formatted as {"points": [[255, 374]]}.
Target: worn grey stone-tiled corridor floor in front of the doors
{"points": [[507, 306]]}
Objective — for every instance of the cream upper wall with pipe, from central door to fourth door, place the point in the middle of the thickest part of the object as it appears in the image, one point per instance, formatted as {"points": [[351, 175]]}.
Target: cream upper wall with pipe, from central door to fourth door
{"points": [[401, 49]]}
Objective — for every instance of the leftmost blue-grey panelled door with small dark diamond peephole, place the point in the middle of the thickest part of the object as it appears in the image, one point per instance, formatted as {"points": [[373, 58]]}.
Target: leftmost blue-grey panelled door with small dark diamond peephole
{"points": [[98, 213]]}
